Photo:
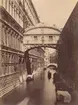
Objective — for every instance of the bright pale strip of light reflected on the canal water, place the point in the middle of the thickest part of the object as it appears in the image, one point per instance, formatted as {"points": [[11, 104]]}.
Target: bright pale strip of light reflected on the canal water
{"points": [[48, 94]]}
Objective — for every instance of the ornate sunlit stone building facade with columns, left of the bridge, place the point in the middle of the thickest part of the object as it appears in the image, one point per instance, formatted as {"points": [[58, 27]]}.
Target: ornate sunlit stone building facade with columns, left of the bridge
{"points": [[15, 16]]}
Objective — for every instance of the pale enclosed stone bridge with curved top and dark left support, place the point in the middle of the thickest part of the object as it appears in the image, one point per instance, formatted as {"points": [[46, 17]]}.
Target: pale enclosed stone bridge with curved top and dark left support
{"points": [[39, 36]]}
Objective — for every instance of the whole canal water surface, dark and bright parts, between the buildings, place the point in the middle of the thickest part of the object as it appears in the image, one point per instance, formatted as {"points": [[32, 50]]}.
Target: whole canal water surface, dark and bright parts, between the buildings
{"points": [[41, 91]]}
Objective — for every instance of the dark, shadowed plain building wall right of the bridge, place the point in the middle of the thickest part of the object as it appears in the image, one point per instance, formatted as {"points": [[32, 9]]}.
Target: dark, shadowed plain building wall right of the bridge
{"points": [[68, 50]]}
